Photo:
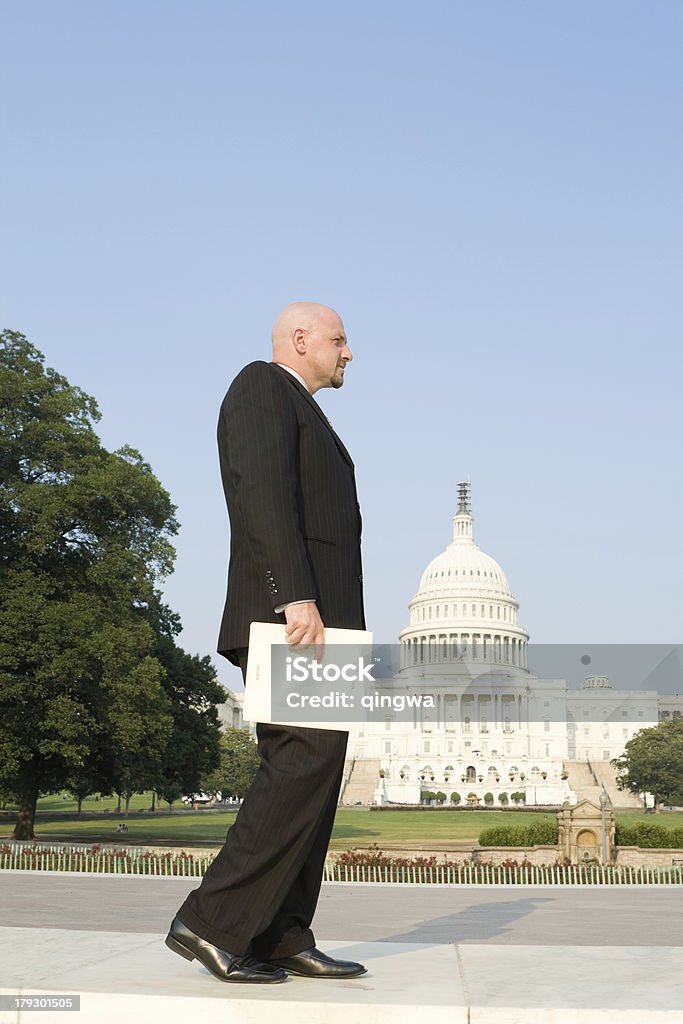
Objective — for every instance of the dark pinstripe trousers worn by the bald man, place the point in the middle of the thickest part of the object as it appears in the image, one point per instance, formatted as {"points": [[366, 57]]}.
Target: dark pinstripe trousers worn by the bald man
{"points": [[260, 894]]}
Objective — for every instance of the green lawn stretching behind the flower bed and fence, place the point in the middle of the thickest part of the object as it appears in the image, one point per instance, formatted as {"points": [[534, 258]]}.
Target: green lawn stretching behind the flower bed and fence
{"points": [[353, 828]]}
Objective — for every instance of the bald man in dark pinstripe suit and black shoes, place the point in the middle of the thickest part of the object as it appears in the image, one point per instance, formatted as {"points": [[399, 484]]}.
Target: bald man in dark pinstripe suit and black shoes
{"points": [[295, 559]]}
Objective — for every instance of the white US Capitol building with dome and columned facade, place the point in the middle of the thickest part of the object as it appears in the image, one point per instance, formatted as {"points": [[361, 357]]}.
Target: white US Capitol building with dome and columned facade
{"points": [[495, 728]]}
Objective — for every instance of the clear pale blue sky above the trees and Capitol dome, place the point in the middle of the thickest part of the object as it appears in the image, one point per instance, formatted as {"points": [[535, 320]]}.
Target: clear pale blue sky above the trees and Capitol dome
{"points": [[491, 196]]}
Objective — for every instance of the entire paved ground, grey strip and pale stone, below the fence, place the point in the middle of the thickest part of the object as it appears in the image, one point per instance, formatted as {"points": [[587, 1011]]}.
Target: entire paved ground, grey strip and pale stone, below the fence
{"points": [[482, 956]]}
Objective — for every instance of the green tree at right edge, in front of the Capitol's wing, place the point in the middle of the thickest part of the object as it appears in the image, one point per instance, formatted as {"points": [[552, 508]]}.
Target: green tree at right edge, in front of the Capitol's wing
{"points": [[653, 762]]}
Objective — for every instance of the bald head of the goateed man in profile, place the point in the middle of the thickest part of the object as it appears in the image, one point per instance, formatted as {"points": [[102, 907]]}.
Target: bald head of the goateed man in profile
{"points": [[311, 338]]}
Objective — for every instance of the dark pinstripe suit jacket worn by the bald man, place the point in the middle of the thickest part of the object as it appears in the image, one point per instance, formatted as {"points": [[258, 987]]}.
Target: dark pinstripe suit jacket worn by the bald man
{"points": [[295, 520]]}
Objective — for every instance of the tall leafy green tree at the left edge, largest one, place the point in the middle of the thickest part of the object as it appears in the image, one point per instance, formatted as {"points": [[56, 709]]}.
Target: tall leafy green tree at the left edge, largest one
{"points": [[84, 534]]}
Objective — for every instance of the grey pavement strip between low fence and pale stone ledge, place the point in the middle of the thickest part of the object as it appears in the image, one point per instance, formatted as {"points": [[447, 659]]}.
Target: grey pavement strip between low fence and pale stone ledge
{"points": [[538, 916]]}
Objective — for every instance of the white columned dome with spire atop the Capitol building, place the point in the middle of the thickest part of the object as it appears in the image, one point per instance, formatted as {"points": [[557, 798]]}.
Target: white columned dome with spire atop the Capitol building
{"points": [[464, 607]]}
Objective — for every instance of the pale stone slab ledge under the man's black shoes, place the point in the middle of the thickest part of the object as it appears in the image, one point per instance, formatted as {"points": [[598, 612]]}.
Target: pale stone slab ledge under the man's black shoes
{"points": [[134, 977]]}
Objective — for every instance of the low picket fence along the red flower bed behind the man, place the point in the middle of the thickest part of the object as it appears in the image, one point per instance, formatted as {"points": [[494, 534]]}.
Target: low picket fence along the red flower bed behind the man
{"points": [[152, 863]]}
